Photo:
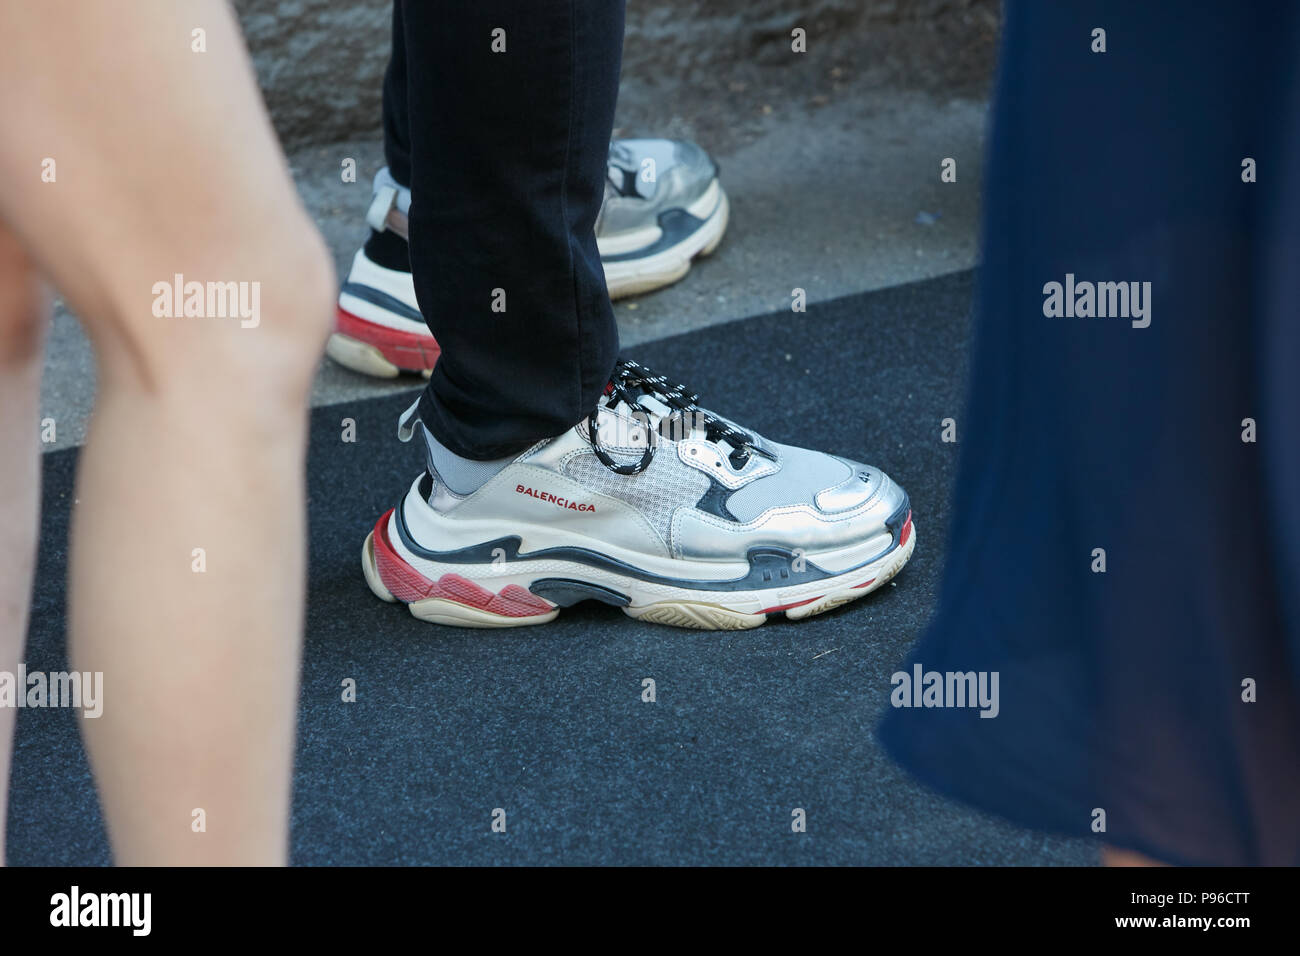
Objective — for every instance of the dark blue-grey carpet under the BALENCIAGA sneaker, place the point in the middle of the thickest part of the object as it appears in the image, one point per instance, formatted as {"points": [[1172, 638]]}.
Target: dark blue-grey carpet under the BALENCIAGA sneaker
{"points": [[548, 724]]}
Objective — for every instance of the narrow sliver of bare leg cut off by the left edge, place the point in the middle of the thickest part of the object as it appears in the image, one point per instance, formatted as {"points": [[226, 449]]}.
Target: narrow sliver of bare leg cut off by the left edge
{"points": [[23, 322]]}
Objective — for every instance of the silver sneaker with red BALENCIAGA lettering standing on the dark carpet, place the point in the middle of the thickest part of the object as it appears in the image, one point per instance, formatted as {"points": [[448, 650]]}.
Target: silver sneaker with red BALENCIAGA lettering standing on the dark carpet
{"points": [[653, 505]]}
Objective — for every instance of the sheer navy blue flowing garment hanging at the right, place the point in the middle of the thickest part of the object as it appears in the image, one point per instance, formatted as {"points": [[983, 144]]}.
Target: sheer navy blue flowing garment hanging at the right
{"points": [[1123, 691]]}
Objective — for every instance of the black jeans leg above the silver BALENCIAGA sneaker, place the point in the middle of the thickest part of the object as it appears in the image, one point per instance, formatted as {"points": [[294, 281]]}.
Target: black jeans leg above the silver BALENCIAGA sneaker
{"points": [[505, 154]]}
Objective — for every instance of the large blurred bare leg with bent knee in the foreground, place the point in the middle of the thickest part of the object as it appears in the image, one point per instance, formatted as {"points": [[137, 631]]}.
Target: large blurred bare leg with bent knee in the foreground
{"points": [[187, 581]]}
